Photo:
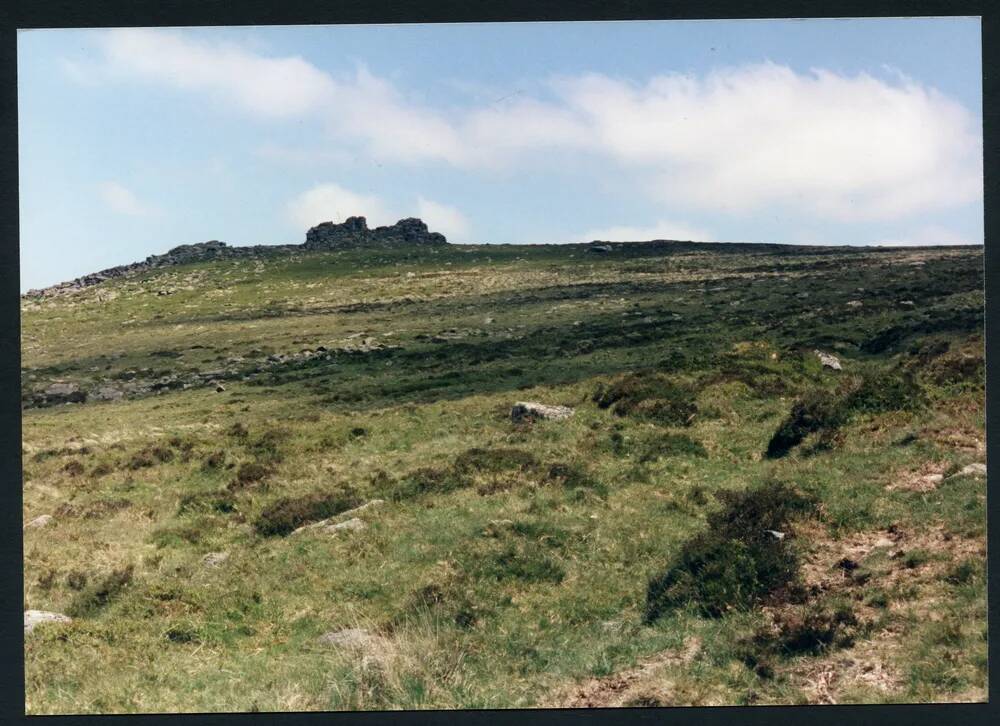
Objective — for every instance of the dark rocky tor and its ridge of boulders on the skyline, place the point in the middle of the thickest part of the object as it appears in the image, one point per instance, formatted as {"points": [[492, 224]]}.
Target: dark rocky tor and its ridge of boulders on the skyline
{"points": [[352, 233]]}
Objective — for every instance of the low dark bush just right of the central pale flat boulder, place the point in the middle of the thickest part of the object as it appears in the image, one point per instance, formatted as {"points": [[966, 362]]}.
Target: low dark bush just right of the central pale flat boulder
{"points": [[651, 396]]}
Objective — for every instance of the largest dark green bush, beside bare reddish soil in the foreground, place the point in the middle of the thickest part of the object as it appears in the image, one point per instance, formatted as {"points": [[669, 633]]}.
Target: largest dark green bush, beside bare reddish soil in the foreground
{"points": [[735, 562]]}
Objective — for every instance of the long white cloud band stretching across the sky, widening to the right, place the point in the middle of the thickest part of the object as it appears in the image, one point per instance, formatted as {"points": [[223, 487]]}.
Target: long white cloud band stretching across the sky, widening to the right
{"points": [[735, 141]]}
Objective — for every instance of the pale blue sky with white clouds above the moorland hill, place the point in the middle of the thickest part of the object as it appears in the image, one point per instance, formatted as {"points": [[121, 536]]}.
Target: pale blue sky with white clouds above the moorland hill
{"points": [[850, 131]]}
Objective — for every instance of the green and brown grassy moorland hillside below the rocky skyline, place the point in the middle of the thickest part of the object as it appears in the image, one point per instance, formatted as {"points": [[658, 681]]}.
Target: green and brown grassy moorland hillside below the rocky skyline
{"points": [[509, 564]]}
